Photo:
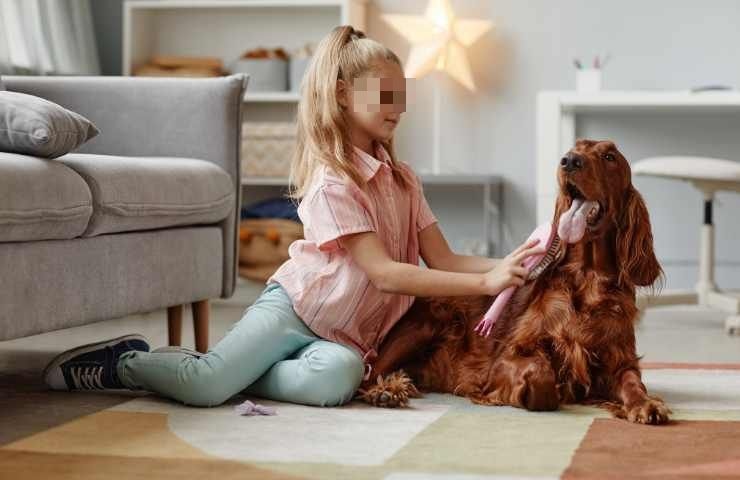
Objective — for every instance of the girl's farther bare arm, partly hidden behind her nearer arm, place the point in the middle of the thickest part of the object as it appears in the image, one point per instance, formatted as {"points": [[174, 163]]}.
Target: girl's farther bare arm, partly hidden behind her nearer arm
{"points": [[437, 254]]}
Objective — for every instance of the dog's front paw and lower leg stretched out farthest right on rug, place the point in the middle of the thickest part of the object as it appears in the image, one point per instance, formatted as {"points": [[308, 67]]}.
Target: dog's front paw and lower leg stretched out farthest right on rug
{"points": [[635, 404]]}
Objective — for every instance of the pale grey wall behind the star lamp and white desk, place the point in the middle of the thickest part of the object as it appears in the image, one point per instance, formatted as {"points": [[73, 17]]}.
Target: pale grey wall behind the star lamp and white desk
{"points": [[660, 44]]}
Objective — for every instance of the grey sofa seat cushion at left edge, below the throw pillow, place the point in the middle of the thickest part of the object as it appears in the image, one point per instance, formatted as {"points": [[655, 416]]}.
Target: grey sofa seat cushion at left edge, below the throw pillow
{"points": [[41, 200]]}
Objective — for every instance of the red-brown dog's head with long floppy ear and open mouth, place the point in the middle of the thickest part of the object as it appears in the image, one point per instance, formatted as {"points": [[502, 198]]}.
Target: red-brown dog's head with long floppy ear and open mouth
{"points": [[597, 171]]}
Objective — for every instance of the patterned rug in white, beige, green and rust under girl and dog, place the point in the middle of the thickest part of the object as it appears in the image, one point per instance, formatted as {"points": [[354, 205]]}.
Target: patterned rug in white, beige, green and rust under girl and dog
{"points": [[439, 437]]}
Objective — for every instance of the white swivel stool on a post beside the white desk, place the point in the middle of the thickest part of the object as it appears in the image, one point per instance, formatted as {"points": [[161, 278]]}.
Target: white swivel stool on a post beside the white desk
{"points": [[708, 175]]}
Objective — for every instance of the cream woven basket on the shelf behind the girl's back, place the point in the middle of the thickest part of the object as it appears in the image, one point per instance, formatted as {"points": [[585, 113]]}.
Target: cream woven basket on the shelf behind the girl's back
{"points": [[267, 148]]}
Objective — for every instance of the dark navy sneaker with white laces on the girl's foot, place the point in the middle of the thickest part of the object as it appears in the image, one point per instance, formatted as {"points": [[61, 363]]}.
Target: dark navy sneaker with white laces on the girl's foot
{"points": [[93, 366]]}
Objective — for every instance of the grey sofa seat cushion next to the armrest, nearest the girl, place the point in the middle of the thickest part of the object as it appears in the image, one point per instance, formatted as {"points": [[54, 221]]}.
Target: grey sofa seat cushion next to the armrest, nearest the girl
{"points": [[143, 193]]}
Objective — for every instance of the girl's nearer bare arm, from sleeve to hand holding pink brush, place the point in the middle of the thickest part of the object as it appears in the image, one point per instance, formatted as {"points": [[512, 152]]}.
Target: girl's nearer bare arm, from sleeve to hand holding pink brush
{"points": [[390, 276]]}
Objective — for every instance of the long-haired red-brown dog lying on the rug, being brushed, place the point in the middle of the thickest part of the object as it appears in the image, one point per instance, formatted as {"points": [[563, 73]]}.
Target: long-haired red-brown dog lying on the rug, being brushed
{"points": [[566, 336]]}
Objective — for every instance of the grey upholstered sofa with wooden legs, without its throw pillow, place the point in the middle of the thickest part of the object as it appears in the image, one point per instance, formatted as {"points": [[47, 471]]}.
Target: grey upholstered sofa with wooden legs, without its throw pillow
{"points": [[142, 217]]}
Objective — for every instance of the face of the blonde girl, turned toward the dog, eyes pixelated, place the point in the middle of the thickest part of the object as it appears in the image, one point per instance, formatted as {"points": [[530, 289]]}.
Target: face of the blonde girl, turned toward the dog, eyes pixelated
{"points": [[375, 102]]}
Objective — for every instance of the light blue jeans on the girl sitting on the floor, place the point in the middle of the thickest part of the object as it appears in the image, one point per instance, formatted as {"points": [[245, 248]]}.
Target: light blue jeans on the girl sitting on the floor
{"points": [[270, 352]]}
